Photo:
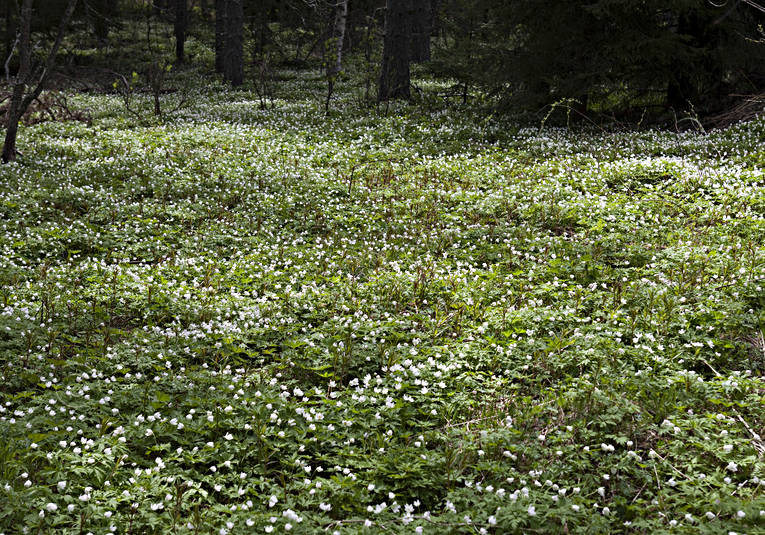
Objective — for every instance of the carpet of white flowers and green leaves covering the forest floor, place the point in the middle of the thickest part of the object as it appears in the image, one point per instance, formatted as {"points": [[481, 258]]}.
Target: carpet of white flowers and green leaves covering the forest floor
{"points": [[238, 320]]}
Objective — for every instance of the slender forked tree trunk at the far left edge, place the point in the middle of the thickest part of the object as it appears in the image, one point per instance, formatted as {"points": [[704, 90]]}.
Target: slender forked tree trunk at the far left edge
{"points": [[20, 97]]}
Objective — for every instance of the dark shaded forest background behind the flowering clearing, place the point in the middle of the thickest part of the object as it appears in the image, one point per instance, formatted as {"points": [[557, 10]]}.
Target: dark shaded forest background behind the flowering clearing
{"points": [[630, 61]]}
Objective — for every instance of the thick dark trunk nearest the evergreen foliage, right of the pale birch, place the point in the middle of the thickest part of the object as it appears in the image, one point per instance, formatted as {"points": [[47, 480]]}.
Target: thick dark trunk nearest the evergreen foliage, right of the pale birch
{"points": [[394, 75]]}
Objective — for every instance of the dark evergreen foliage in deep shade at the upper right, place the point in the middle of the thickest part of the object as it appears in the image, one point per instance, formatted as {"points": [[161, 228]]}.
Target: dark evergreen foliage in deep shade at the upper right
{"points": [[607, 54]]}
